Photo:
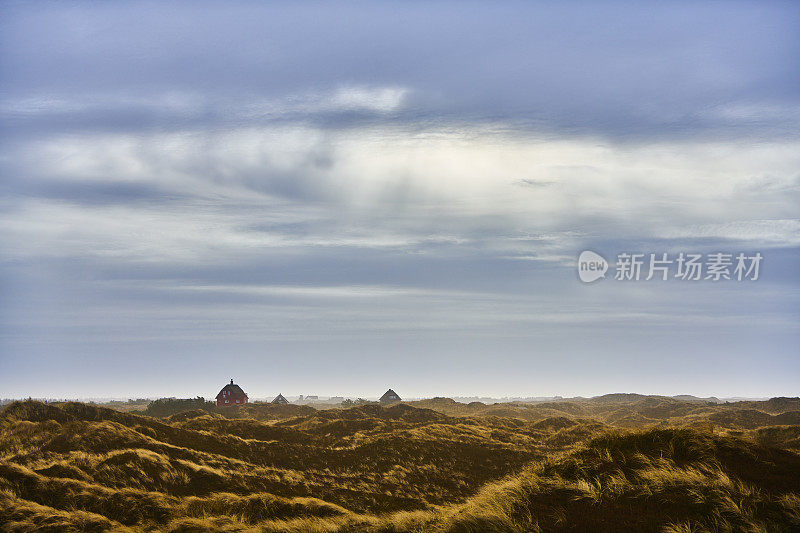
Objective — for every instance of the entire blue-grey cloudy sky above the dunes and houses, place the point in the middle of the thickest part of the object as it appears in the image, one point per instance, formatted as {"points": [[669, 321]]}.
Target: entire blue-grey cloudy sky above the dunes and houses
{"points": [[335, 199]]}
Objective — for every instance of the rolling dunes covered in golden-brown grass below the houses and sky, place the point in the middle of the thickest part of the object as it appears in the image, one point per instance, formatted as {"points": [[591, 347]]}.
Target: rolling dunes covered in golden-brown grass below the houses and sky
{"points": [[669, 465]]}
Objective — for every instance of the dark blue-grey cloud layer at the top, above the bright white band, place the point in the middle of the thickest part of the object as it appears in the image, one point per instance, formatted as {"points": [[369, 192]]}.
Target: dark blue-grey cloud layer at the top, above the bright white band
{"points": [[610, 70]]}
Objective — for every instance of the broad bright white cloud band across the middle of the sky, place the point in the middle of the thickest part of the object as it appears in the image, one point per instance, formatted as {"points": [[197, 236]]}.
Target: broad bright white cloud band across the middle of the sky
{"points": [[195, 194]]}
